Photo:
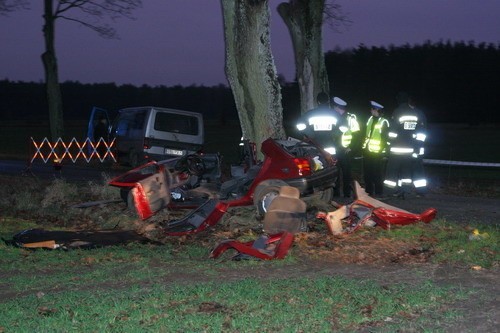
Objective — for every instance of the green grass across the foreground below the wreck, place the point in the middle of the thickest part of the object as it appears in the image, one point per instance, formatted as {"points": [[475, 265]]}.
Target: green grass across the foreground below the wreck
{"points": [[85, 294]]}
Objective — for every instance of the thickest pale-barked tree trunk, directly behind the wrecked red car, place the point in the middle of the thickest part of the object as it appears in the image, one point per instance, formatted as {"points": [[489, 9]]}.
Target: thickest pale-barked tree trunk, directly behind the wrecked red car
{"points": [[250, 69]]}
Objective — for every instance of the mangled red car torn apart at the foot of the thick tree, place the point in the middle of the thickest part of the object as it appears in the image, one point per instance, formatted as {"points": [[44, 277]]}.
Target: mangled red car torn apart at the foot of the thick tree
{"points": [[195, 181]]}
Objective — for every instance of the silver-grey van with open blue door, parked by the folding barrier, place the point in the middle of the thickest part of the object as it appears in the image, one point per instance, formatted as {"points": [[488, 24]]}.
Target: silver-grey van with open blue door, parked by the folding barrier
{"points": [[152, 133]]}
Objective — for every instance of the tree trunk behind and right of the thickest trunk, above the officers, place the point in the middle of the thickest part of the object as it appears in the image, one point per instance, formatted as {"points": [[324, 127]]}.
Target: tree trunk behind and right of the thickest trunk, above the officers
{"points": [[304, 19]]}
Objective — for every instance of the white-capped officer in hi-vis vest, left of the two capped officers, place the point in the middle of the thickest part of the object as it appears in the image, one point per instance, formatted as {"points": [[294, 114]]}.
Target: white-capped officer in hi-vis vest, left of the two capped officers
{"points": [[346, 142]]}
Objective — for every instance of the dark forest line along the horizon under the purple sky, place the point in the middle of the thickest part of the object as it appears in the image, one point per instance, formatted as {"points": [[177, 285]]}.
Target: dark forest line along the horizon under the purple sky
{"points": [[452, 82]]}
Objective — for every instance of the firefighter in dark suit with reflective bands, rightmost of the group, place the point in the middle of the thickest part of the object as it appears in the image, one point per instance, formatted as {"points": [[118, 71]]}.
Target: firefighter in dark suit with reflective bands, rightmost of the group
{"points": [[406, 137]]}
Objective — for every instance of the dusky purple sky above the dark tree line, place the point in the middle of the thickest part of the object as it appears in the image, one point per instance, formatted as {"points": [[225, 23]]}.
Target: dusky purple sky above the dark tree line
{"points": [[181, 41]]}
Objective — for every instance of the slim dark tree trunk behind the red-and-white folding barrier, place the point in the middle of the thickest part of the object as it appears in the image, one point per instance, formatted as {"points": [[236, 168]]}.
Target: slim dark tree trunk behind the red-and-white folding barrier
{"points": [[53, 90]]}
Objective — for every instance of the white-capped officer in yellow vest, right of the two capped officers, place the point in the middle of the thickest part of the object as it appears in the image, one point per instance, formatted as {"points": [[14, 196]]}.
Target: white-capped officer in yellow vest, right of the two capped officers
{"points": [[374, 150]]}
